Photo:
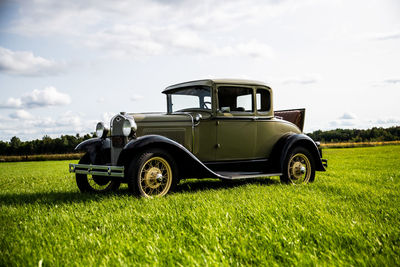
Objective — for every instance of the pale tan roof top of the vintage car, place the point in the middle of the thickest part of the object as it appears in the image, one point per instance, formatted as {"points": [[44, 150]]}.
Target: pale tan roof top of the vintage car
{"points": [[210, 82]]}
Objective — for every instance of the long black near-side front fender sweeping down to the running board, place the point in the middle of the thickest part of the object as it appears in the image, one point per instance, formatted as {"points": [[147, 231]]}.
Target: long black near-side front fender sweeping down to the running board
{"points": [[189, 166]]}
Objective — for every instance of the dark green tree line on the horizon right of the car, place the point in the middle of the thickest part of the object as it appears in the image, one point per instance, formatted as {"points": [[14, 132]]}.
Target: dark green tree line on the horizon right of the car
{"points": [[355, 135]]}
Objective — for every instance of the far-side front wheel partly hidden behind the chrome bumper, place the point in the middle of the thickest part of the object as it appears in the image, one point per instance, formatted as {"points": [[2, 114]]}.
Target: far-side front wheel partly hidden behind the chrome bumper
{"points": [[95, 184]]}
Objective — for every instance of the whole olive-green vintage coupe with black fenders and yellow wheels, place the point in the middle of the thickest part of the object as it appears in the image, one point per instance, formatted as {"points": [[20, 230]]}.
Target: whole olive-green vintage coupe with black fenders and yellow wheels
{"points": [[224, 129]]}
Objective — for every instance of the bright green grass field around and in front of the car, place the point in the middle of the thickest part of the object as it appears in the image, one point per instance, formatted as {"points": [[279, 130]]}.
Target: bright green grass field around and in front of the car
{"points": [[349, 216]]}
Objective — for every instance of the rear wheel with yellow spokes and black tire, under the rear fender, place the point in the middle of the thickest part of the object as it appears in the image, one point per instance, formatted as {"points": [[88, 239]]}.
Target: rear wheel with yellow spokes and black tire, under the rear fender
{"points": [[298, 167]]}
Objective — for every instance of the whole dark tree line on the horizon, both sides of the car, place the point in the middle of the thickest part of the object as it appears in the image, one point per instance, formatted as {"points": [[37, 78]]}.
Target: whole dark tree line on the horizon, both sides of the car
{"points": [[66, 143]]}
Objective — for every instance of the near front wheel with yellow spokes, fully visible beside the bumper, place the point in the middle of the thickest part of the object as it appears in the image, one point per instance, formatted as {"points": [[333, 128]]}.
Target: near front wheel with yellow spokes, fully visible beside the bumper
{"points": [[153, 173]]}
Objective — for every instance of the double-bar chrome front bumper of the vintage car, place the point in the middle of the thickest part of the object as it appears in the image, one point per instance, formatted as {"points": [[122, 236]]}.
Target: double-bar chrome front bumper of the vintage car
{"points": [[99, 170]]}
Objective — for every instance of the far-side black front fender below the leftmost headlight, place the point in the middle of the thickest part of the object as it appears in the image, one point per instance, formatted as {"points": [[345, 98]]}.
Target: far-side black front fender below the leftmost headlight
{"points": [[94, 147]]}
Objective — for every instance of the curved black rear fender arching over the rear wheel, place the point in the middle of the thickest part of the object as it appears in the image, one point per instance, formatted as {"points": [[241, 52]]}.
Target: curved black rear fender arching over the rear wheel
{"points": [[283, 147]]}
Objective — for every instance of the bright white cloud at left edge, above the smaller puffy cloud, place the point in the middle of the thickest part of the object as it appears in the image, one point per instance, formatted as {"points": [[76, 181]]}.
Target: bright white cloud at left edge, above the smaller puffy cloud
{"points": [[25, 63]]}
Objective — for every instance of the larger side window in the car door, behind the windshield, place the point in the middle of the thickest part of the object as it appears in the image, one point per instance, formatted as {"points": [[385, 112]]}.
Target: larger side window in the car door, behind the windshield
{"points": [[235, 99]]}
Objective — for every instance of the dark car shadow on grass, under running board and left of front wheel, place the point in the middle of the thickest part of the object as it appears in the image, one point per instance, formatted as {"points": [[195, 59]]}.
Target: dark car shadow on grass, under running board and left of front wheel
{"points": [[185, 186]]}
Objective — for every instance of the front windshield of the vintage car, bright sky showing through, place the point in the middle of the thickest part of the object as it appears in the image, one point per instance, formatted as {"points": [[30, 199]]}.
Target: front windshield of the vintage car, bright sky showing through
{"points": [[188, 98]]}
